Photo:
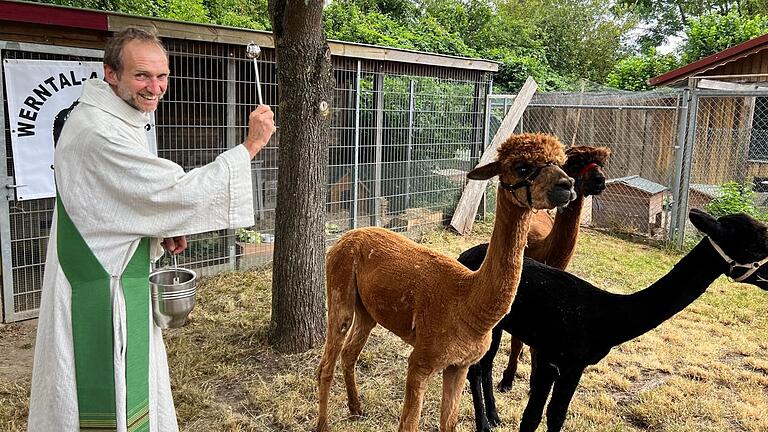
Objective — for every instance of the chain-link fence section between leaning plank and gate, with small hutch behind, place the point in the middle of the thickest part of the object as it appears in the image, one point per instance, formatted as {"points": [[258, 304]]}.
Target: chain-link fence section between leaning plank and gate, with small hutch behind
{"points": [[641, 131]]}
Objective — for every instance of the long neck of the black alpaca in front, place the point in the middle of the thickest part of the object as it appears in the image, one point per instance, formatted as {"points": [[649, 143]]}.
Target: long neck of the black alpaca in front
{"points": [[642, 311]]}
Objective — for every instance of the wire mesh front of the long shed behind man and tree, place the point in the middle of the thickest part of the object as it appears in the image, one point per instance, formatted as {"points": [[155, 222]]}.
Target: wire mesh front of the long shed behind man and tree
{"points": [[403, 137]]}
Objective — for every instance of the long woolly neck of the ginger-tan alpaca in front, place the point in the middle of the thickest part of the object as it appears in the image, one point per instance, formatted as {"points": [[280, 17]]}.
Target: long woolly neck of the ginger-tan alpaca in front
{"points": [[495, 283]]}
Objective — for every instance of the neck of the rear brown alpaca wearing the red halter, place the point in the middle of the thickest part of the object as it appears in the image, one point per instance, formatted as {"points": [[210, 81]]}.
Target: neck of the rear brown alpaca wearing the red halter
{"points": [[561, 241]]}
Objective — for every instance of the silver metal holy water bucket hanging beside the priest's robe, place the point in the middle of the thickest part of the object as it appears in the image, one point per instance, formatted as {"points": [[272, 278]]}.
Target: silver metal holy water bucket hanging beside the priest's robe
{"points": [[173, 292]]}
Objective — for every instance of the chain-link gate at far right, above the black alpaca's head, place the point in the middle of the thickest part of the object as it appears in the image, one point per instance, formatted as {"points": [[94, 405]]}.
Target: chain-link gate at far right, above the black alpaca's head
{"points": [[725, 152]]}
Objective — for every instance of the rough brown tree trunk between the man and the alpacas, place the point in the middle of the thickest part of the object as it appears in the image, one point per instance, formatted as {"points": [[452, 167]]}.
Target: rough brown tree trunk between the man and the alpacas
{"points": [[305, 82]]}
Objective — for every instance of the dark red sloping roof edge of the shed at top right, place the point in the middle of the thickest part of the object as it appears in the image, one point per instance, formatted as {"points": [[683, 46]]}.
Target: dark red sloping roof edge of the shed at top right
{"points": [[737, 52]]}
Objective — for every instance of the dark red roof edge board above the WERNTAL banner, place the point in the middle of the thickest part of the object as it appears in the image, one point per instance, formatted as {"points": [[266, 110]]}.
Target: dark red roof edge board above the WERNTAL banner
{"points": [[43, 14]]}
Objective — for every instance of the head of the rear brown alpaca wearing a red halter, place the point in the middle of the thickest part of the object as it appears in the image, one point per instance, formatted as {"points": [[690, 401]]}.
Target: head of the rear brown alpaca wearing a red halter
{"points": [[585, 165]]}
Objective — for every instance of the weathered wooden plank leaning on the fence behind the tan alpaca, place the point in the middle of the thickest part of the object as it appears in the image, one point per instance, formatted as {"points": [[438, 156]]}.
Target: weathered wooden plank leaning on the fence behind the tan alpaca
{"points": [[466, 209]]}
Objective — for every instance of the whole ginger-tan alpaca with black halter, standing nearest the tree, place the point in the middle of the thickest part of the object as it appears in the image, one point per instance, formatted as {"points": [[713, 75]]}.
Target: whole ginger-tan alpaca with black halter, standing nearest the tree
{"points": [[429, 300]]}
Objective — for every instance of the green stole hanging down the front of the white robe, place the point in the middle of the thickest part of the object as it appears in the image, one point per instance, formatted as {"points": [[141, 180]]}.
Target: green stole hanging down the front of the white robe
{"points": [[92, 330]]}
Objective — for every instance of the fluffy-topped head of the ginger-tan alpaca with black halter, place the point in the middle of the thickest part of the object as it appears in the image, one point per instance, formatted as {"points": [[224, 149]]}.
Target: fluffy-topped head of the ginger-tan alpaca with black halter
{"points": [[528, 167]]}
